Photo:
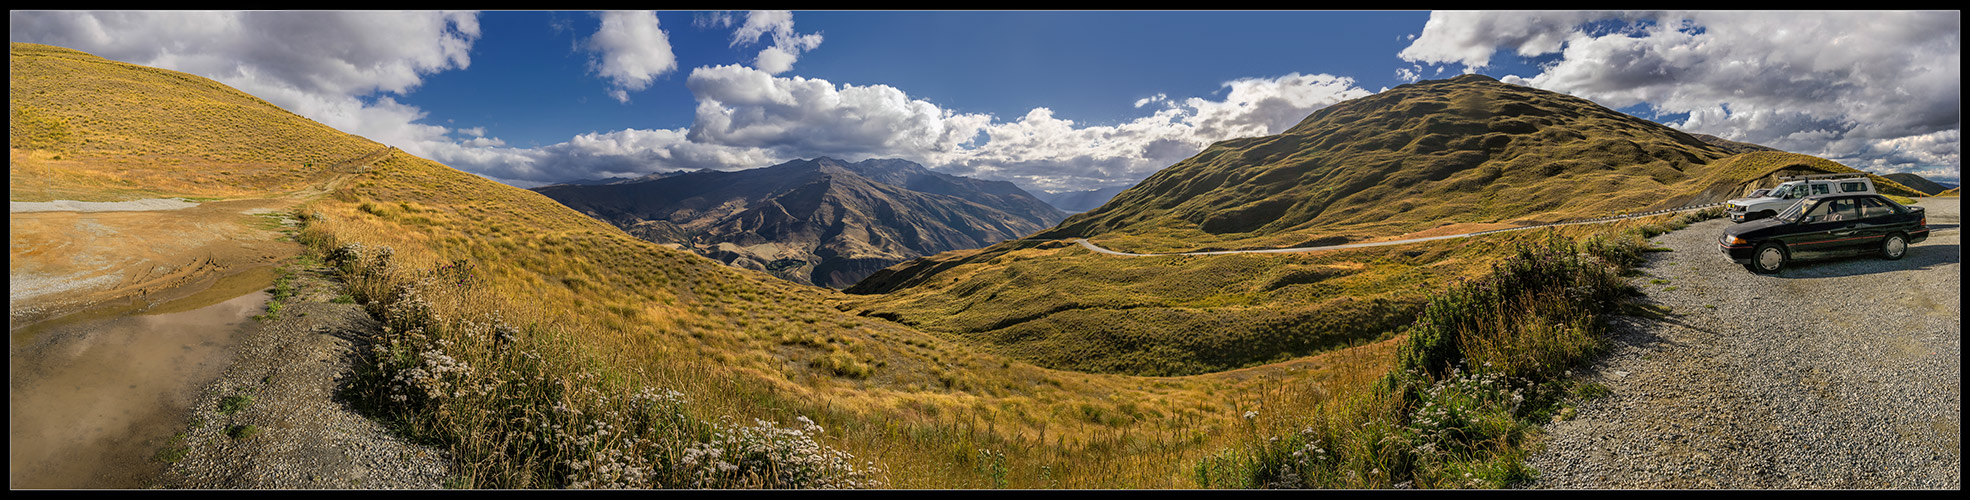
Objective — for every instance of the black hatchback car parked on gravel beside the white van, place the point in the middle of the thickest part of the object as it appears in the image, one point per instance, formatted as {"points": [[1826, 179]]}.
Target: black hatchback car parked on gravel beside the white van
{"points": [[1823, 227]]}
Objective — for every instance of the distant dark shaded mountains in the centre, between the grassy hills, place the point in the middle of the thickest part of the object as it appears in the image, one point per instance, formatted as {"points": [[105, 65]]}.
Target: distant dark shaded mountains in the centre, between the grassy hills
{"points": [[815, 221]]}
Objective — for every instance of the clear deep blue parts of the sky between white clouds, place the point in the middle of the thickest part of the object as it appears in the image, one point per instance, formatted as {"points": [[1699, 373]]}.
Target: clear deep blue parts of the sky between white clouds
{"points": [[1084, 66]]}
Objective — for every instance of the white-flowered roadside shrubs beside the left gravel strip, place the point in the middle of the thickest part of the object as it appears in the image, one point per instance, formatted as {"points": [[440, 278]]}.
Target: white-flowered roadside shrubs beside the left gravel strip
{"points": [[523, 412]]}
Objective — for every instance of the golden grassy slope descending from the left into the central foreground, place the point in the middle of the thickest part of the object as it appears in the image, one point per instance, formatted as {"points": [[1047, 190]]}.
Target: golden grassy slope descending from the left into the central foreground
{"points": [[614, 316]]}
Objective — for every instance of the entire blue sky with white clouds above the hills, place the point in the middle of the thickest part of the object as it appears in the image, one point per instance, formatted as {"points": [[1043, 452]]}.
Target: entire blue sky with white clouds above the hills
{"points": [[1045, 99]]}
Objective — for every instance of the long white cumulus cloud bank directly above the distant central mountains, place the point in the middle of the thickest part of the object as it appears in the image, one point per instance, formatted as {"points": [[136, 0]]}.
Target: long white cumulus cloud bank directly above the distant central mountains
{"points": [[750, 119]]}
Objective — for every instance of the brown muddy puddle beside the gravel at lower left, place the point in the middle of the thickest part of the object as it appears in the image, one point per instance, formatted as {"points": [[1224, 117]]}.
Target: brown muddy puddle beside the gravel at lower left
{"points": [[96, 397]]}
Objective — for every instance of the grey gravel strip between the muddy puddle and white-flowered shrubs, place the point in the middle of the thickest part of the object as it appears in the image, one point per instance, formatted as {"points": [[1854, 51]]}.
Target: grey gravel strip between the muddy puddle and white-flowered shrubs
{"points": [[304, 434]]}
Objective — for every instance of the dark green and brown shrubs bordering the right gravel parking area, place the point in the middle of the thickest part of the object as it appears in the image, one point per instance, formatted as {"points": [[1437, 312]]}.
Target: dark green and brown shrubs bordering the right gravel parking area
{"points": [[1480, 371]]}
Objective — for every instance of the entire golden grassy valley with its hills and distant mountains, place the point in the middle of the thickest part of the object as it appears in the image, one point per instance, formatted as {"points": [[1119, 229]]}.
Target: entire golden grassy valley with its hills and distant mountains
{"points": [[824, 324]]}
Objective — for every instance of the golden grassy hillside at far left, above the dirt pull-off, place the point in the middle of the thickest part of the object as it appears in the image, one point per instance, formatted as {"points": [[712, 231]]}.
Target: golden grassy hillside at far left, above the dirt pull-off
{"points": [[90, 129]]}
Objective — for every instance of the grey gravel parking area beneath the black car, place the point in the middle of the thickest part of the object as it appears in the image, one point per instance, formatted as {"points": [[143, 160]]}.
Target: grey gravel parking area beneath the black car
{"points": [[1829, 375]]}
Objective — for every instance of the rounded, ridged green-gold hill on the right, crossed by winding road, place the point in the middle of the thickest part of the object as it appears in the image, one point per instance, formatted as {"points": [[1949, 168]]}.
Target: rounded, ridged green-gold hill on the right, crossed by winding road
{"points": [[1419, 160]]}
